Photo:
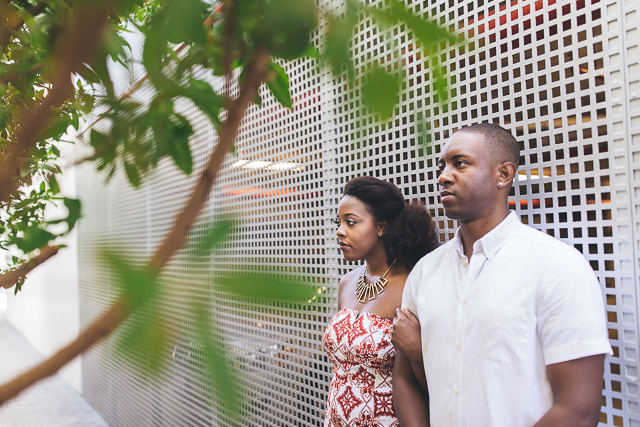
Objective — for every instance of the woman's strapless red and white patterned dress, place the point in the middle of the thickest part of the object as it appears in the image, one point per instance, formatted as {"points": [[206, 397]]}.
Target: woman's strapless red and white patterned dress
{"points": [[360, 395]]}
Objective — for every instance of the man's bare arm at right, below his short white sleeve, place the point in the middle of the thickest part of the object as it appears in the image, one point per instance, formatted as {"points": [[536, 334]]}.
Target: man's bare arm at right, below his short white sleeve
{"points": [[577, 393]]}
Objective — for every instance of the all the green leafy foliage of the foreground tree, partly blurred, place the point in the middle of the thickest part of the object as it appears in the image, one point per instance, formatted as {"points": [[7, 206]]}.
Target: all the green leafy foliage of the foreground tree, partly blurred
{"points": [[182, 38]]}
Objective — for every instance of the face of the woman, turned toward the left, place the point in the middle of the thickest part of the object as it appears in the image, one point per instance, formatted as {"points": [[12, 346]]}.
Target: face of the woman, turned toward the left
{"points": [[358, 233]]}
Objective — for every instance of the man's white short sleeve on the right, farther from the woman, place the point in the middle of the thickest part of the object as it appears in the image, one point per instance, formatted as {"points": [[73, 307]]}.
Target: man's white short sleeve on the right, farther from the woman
{"points": [[571, 314]]}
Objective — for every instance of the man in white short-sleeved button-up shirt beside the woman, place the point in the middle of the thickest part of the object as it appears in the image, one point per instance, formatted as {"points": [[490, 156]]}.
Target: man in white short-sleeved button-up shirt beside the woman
{"points": [[511, 320]]}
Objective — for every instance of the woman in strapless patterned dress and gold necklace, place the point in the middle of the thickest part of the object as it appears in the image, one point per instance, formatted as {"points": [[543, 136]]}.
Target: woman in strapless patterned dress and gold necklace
{"points": [[377, 226]]}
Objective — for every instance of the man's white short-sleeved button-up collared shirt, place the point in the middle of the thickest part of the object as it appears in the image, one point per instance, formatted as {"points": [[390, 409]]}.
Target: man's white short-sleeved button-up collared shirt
{"points": [[490, 325]]}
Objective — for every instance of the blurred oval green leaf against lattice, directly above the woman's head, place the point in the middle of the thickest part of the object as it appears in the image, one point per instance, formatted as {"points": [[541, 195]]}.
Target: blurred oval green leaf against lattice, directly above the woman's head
{"points": [[380, 92]]}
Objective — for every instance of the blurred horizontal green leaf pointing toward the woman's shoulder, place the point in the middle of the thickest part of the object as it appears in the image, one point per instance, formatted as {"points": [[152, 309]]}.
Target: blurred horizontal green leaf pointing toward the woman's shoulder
{"points": [[265, 286]]}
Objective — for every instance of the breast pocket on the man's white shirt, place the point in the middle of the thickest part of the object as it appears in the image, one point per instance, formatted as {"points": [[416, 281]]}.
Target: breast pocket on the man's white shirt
{"points": [[507, 334]]}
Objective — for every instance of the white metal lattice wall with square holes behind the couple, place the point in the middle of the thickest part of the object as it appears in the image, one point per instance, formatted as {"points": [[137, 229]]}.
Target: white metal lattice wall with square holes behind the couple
{"points": [[564, 77]]}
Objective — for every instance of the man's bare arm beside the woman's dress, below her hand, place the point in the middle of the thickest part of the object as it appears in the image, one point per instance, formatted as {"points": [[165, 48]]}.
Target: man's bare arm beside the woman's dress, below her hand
{"points": [[411, 401]]}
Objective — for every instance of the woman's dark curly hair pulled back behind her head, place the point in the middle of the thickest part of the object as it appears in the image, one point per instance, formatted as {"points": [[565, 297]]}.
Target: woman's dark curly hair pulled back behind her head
{"points": [[409, 233]]}
